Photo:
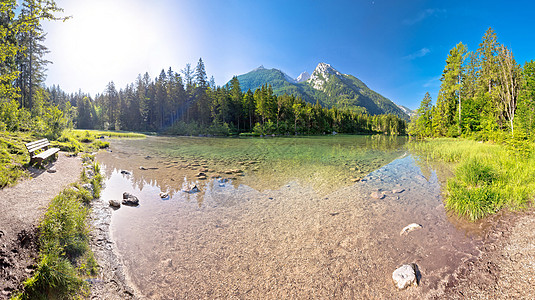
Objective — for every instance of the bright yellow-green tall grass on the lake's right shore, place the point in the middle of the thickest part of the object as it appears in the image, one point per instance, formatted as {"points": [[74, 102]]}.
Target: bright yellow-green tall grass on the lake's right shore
{"points": [[488, 177]]}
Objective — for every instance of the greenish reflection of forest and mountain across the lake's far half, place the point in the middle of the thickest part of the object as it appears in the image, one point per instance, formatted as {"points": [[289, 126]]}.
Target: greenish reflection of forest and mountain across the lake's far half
{"points": [[321, 163]]}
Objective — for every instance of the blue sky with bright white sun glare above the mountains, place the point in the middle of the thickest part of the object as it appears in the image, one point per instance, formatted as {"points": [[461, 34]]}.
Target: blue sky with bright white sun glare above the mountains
{"points": [[398, 47]]}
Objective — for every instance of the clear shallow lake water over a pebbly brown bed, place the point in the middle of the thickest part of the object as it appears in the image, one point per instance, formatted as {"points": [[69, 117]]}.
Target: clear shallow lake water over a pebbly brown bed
{"points": [[292, 224]]}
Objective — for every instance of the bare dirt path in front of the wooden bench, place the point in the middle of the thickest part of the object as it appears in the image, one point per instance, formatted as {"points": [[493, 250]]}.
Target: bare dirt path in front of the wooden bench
{"points": [[21, 208]]}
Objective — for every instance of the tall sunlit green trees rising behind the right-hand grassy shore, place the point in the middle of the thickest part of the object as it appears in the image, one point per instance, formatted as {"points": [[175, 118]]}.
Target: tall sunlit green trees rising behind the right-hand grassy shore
{"points": [[484, 94]]}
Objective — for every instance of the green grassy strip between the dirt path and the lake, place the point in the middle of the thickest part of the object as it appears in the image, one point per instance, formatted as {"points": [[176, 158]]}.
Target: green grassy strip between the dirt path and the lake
{"points": [[65, 258]]}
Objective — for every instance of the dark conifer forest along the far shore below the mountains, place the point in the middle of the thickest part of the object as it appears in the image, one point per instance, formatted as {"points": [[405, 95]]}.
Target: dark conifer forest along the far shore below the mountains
{"points": [[190, 104]]}
